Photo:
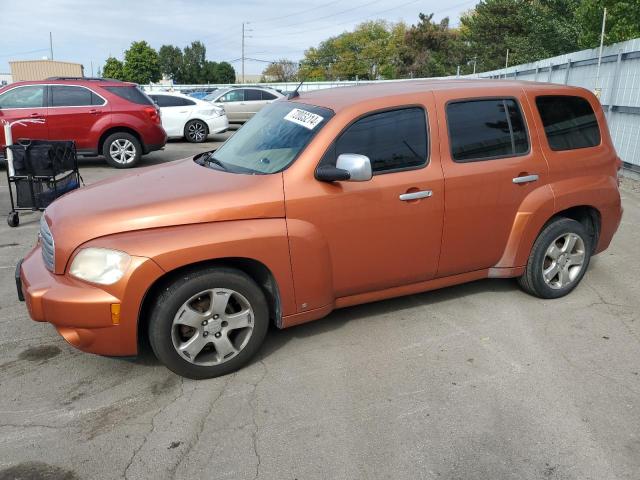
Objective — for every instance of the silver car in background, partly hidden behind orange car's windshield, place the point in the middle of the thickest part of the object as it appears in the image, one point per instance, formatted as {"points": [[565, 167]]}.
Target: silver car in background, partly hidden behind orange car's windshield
{"points": [[243, 103]]}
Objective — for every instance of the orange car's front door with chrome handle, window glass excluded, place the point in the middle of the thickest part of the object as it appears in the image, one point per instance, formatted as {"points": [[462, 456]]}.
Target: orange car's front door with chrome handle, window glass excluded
{"points": [[373, 235]]}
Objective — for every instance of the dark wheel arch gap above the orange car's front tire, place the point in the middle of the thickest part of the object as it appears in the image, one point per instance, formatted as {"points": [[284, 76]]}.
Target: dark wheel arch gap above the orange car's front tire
{"points": [[256, 270]]}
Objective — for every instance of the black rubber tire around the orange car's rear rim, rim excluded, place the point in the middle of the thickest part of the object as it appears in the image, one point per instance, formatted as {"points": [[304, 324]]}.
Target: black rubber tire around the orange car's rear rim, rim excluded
{"points": [[549, 234]]}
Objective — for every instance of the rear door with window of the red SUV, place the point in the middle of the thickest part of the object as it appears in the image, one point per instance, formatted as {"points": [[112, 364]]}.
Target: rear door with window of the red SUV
{"points": [[74, 112]]}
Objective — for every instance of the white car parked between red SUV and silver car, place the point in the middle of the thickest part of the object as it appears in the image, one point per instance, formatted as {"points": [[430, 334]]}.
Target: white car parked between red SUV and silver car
{"points": [[189, 118]]}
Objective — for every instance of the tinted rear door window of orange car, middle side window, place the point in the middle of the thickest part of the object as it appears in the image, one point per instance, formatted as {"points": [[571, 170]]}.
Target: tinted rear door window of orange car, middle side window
{"points": [[486, 129]]}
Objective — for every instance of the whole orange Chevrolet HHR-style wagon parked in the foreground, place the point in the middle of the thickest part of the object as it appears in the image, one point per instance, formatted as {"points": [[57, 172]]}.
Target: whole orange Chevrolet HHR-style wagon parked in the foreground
{"points": [[332, 198]]}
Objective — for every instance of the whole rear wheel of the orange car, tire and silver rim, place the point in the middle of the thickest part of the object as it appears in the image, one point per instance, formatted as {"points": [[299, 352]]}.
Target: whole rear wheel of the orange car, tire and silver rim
{"points": [[572, 243]]}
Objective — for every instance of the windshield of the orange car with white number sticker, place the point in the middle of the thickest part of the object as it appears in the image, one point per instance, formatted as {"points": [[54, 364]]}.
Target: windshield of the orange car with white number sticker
{"points": [[272, 139]]}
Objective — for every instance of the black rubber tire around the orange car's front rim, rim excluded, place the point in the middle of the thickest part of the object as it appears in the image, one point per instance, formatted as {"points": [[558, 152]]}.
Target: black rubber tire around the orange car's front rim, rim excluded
{"points": [[183, 288]]}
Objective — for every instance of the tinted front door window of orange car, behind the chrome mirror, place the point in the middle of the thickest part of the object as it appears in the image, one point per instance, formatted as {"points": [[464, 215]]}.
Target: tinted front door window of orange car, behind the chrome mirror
{"points": [[392, 140]]}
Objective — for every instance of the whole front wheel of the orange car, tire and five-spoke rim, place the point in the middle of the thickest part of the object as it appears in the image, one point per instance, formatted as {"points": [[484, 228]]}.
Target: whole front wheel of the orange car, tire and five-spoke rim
{"points": [[191, 339]]}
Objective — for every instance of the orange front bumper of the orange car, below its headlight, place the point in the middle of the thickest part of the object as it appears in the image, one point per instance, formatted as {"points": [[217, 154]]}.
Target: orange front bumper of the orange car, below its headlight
{"points": [[81, 312]]}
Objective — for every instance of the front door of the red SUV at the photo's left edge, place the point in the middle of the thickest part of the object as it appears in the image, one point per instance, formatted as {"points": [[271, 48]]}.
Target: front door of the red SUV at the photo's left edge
{"points": [[24, 102]]}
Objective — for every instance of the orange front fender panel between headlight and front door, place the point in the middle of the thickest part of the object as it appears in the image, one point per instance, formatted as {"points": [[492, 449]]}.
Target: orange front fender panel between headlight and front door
{"points": [[262, 240]]}
